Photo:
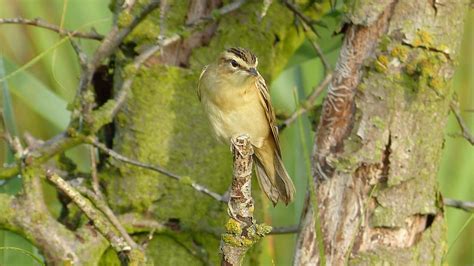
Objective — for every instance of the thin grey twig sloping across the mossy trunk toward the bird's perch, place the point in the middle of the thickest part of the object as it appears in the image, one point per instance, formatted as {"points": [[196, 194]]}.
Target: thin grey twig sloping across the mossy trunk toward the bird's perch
{"points": [[184, 180]]}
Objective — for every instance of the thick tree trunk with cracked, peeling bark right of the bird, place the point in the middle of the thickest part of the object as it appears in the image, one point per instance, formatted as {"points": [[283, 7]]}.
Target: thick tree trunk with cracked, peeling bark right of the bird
{"points": [[380, 137]]}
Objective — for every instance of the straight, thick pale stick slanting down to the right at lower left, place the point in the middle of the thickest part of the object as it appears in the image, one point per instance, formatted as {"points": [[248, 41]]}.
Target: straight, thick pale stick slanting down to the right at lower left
{"points": [[102, 225]]}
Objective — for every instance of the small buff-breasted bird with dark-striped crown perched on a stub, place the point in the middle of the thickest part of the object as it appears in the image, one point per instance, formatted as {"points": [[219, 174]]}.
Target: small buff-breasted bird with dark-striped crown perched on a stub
{"points": [[237, 102]]}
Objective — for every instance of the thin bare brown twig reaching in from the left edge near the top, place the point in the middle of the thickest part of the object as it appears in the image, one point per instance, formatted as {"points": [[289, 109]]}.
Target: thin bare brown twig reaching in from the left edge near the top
{"points": [[37, 22]]}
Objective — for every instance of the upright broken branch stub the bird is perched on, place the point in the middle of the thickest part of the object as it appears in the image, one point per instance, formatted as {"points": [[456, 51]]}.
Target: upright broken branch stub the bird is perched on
{"points": [[242, 231]]}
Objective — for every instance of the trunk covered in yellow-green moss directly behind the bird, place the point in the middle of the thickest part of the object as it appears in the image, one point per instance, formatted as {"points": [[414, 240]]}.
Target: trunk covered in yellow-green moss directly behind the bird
{"points": [[162, 122]]}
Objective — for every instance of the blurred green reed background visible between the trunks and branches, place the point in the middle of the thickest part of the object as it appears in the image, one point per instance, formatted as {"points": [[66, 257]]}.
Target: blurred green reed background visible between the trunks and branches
{"points": [[41, 92]]}
